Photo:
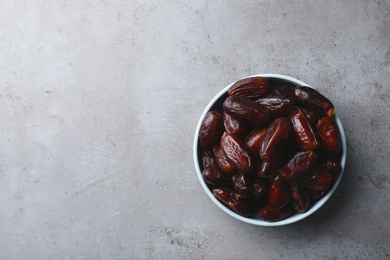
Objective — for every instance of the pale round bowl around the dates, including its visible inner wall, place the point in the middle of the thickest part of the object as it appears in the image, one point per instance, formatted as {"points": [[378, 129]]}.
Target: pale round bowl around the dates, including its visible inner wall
{"points": [[216, 104]]}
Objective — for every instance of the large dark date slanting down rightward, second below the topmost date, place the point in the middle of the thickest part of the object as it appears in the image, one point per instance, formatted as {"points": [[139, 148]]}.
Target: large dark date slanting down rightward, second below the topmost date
{"points": [[246, 110]]}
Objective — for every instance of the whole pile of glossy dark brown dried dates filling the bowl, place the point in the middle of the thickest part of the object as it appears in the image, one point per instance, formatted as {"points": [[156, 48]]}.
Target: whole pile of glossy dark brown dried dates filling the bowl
{"points": [[273, 149]]}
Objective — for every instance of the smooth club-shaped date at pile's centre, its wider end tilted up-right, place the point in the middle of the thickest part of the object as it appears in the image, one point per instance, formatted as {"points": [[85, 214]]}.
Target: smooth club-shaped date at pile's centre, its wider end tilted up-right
{"points": [[277, 132]]}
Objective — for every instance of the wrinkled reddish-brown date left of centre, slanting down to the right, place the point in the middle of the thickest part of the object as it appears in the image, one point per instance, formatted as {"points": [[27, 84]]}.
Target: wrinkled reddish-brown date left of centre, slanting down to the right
{"points": [[235, 151]]}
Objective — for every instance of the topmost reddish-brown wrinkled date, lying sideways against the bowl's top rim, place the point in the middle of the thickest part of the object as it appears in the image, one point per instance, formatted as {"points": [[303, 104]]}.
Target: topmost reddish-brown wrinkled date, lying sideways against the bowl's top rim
{"points": [[250, 87]]}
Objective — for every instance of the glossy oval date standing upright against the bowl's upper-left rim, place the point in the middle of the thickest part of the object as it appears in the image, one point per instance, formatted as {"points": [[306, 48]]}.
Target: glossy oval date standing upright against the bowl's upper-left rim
{"points": [[211, 129]]}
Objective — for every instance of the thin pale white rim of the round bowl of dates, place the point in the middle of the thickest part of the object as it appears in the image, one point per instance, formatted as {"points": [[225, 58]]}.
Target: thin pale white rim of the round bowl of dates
{"points": [[260, 222]]}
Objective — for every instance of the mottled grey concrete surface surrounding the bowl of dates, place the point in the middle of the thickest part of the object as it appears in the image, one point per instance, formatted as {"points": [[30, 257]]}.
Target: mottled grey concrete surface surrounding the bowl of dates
{"points": [[100, 100]]}
